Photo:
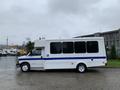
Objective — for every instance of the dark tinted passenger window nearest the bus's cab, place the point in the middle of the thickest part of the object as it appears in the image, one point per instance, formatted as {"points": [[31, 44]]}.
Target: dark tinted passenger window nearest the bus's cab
{"points": [[55, 48]]}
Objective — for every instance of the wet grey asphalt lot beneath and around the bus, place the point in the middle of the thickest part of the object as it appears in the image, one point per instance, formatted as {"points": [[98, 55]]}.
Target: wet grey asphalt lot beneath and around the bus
{"points": [[94, 79]]}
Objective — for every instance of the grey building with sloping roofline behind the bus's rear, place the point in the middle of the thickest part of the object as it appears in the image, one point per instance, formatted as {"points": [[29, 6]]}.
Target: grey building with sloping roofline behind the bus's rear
{"points": [[111, 38]]}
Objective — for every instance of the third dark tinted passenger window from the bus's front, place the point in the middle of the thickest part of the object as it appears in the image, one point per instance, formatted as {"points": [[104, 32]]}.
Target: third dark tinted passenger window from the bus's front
{"points": [[80, 47]]}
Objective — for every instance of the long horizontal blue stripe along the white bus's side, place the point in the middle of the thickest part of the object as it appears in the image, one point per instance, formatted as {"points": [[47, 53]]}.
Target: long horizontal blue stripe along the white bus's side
{"points": [[63, 58]]}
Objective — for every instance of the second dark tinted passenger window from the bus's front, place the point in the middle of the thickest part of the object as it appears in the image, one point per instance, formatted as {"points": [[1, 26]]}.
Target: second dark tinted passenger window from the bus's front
{"points": [[68, 47]]}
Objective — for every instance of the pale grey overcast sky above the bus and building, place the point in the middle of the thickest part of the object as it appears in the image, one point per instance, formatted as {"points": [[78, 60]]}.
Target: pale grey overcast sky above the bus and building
{"points": [[20, 19]]}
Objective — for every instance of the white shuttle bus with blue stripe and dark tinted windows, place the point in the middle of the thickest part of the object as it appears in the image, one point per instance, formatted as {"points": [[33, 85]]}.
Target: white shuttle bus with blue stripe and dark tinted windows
{"points": [[66, 54]]}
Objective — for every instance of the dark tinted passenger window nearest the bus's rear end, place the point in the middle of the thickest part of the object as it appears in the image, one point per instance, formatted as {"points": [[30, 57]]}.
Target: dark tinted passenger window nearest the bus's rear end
{"points": [[92, 46]]}
